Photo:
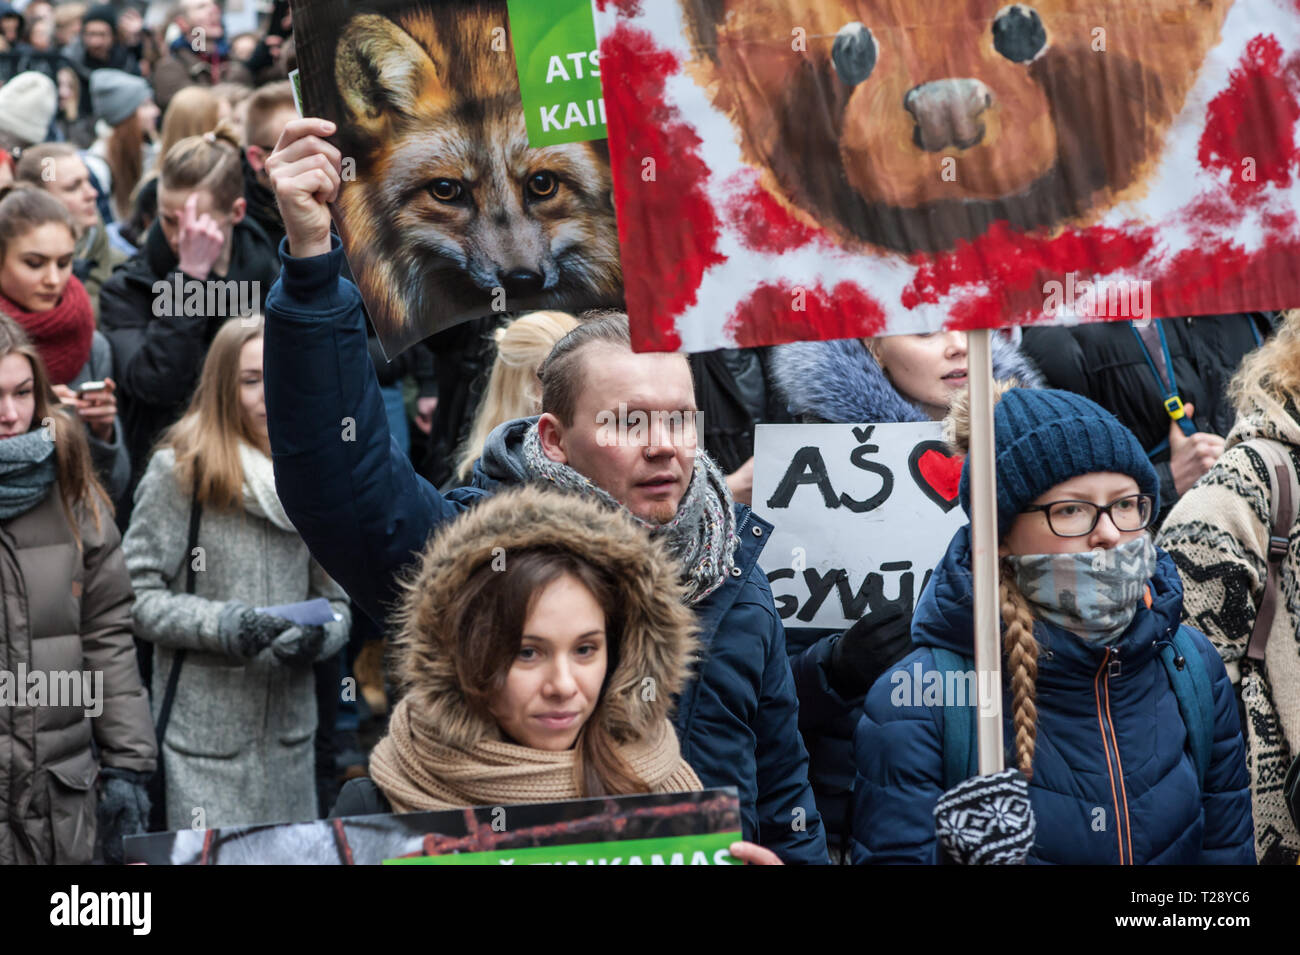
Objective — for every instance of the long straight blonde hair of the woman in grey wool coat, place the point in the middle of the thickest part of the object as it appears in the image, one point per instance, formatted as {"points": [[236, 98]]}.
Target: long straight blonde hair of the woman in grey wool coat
{"points": [[207, 439]]}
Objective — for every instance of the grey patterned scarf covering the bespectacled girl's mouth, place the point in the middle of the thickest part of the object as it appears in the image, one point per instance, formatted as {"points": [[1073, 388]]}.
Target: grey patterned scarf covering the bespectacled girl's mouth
{"points": [[1094, 594]]}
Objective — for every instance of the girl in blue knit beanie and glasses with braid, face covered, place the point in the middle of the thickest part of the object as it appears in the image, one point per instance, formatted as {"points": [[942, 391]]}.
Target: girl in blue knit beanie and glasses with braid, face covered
{"points": [[1103, 766]]}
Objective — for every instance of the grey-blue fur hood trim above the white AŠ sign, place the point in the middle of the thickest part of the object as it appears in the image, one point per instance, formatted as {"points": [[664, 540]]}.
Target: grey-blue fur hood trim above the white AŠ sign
{"points": [[840, 383]]}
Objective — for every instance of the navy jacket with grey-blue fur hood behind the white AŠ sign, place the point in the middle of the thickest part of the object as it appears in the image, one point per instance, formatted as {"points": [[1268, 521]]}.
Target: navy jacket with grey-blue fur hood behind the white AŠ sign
{"points": [[839, 383]]}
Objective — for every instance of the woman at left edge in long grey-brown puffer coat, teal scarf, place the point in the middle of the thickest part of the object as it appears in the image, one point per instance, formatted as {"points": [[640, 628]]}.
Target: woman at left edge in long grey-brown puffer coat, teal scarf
{"points": [[68, 613]]}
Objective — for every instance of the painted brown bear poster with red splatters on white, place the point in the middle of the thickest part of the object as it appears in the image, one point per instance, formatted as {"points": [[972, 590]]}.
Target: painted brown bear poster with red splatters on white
{"points": [[813, 170]]}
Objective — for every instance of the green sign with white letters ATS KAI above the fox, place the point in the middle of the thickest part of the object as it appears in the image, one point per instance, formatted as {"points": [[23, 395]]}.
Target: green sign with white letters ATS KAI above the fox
{"points": [[560, 73]]}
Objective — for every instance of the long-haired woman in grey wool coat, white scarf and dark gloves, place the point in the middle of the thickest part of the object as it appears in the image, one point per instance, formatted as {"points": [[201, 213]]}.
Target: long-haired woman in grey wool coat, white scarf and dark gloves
{"points": [[240, 740]]}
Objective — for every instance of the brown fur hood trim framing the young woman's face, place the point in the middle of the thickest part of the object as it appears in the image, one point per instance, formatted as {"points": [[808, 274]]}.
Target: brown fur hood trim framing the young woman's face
{"points": [[660, 633]]}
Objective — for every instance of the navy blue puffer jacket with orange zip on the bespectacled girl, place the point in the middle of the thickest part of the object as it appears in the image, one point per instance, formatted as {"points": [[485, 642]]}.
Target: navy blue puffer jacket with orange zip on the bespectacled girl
{"points": [[1113, 782]]}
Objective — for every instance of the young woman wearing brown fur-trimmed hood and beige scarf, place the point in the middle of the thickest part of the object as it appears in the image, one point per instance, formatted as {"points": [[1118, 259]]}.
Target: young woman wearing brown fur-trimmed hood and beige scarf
{"points": [[540, 645]]}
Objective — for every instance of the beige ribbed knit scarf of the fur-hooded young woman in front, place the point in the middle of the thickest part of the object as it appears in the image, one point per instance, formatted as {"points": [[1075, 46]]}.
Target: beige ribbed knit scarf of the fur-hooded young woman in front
{"points": [[418, 772]]}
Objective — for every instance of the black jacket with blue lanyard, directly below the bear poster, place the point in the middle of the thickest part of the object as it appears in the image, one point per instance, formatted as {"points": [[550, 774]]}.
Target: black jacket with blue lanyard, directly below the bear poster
{"points": [[1106, 362]]}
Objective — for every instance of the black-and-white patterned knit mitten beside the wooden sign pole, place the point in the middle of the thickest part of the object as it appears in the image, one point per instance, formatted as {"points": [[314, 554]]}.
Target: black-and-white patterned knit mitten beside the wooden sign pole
{"points": [[987, 821]]}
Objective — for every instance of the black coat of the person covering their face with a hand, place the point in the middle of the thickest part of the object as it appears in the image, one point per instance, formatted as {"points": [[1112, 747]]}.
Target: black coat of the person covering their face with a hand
{"points": [[158, 357]]}
